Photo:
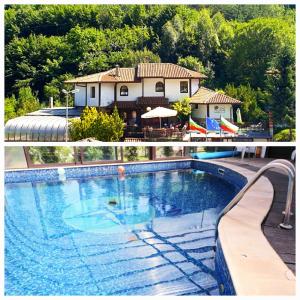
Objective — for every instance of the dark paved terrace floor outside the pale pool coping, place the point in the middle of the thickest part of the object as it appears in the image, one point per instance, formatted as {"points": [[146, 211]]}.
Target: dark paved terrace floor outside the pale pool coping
{"points": [[283, 241]]}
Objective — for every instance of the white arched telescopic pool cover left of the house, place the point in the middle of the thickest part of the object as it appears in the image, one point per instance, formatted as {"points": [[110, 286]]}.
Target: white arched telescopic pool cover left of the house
{"points": [[36, 128]]}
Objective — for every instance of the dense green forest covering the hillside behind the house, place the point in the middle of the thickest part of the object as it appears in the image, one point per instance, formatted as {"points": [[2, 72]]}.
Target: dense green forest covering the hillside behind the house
{"points": [[245, 50]]}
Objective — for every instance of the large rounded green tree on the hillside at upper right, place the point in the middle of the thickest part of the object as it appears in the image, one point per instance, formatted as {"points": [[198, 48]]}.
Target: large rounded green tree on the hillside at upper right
{"points": [[255, 45]]}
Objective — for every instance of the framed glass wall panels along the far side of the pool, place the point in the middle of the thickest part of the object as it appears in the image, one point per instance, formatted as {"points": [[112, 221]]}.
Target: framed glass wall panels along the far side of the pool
{"points": [[31, 157]]}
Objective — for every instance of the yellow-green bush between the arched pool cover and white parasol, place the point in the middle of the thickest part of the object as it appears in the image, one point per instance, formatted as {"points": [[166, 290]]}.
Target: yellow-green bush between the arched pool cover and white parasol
{"points": [[98, 125]]}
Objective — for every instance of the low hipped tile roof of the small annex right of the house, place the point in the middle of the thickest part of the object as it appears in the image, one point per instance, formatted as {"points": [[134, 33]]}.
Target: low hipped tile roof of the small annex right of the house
{"points": [[207, 96]]}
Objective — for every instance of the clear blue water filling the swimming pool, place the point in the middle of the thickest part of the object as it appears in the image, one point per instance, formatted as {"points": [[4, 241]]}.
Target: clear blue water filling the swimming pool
{"points": [[147, 234]]}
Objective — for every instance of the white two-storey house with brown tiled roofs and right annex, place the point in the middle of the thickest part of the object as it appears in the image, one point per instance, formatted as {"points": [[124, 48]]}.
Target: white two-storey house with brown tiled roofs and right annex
{"points": [[133, 90]]}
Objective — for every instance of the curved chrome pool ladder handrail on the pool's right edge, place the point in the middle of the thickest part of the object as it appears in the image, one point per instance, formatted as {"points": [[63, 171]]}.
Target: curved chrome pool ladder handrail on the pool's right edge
{"points": [[282, 164]]}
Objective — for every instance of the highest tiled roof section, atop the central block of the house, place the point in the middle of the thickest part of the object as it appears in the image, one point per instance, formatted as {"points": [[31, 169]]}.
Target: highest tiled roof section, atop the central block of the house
{"points": [[166, 70]]}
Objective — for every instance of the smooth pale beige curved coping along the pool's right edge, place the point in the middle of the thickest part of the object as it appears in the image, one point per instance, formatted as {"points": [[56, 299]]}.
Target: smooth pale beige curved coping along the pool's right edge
{"points": [[254, 265]]}
